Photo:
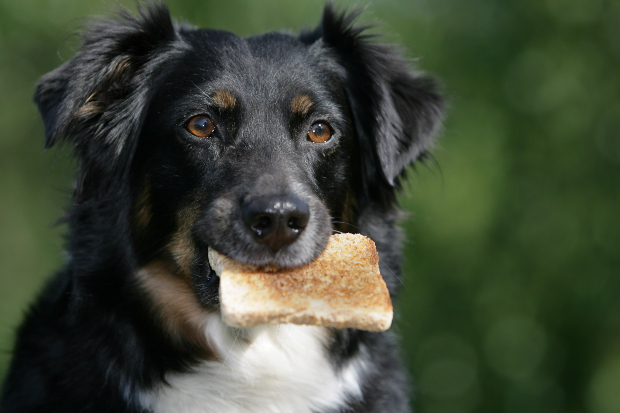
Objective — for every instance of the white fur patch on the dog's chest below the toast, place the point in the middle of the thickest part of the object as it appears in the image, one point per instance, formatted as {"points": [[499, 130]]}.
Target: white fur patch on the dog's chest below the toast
{"points": [[270, 369]]}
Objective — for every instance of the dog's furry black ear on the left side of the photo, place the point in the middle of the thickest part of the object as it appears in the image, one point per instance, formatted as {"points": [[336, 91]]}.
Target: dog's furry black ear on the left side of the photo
{"points": [[95, 100]]}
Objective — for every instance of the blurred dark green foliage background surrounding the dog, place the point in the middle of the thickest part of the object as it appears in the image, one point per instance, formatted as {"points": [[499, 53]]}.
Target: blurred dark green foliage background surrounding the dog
{"points": [[512, 298]]}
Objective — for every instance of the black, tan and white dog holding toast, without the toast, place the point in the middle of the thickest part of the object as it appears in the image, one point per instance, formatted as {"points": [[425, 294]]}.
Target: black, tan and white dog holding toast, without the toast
{"points": [[260, 148]]}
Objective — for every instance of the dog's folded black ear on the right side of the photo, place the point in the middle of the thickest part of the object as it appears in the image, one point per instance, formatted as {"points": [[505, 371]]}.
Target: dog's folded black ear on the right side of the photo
{"points": [[396, 109]]}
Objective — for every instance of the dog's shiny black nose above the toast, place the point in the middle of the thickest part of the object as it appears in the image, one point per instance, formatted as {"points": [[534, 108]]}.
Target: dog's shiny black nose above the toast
{"points": [[276, 220]]}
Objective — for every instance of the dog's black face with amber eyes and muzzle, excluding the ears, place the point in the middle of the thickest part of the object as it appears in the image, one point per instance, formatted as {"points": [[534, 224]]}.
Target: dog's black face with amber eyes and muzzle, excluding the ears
{"points": [[246, 148]]}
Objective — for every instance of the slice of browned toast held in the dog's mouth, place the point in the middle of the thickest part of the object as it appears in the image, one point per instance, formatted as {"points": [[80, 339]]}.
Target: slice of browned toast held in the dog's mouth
{"points": [[342, 288]]}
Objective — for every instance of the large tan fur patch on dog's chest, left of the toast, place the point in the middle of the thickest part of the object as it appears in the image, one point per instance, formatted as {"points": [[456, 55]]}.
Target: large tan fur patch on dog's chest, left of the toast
{"points": [[180, 311]]}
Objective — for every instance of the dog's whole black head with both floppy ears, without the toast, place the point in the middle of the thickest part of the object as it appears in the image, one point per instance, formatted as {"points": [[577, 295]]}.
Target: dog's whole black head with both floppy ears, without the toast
{"points": [[258, 147]]}
